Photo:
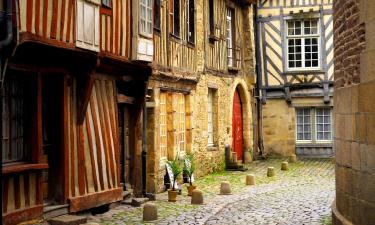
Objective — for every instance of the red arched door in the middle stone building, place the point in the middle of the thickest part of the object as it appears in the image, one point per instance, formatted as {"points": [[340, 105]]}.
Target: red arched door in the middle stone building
{"points": [[237, 126]]}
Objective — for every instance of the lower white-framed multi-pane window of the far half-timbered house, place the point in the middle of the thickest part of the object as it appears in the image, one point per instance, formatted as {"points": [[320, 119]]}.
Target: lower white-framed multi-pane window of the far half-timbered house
{"points": [[314, 124]]}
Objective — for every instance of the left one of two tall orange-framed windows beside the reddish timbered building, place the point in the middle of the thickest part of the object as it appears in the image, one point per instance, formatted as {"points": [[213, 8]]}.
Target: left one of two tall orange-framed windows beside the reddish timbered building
{"points": [[163, 125]]}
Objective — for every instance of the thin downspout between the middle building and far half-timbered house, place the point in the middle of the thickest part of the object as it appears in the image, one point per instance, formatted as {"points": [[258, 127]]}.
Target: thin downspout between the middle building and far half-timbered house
{"points": [[257, 83]]}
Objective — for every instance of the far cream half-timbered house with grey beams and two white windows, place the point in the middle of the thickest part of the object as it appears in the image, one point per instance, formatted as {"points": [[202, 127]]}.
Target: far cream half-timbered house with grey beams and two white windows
{"points": [[295, 76]]}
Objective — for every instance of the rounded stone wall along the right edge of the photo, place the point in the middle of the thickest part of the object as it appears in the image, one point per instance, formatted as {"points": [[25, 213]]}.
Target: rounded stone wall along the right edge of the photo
{"points": [[355, 115]]}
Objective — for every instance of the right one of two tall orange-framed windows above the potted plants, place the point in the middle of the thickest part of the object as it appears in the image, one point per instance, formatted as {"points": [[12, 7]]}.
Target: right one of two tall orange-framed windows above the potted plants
{"points": [[181, 122]]}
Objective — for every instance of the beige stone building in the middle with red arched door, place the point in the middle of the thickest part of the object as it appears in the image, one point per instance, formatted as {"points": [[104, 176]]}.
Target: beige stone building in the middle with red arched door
{"points": [[202, 70]]}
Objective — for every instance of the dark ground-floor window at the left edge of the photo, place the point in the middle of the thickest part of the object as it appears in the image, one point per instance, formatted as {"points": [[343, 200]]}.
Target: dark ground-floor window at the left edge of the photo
{"points": [[13, 108]]}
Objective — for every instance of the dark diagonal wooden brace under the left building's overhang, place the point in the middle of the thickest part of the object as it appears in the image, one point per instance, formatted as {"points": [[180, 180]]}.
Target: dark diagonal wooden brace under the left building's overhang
{"points": [[85, 87]]}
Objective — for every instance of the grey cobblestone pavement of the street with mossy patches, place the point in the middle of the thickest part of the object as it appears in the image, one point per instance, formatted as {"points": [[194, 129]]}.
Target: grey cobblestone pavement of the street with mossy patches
{"points": [[301, 195]]}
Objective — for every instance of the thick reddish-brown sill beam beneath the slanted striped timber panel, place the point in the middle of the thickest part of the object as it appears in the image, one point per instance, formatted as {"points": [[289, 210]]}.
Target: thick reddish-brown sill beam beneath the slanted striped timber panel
{"points": [[95, 199]]}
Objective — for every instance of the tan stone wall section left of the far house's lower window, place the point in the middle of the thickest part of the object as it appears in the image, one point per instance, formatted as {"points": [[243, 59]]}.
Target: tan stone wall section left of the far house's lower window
{"points": [[278, 128]]}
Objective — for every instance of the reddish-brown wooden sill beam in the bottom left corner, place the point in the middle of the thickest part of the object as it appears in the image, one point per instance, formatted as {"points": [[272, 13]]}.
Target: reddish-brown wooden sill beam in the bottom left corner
{"points": [[18, 216]]}
